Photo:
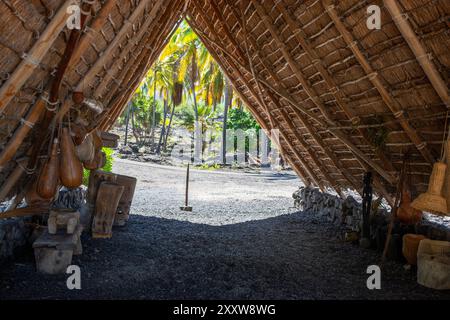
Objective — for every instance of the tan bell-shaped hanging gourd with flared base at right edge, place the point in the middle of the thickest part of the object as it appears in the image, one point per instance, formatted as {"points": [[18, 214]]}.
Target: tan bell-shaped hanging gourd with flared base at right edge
{"points": [[432, 201]]}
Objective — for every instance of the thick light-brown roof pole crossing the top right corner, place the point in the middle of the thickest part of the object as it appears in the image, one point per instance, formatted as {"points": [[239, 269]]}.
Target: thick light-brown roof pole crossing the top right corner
{"points": [[418, 49]]}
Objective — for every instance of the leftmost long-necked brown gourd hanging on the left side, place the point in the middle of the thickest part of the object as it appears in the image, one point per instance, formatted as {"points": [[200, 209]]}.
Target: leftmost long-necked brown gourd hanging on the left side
{"points": [[47, 184]]}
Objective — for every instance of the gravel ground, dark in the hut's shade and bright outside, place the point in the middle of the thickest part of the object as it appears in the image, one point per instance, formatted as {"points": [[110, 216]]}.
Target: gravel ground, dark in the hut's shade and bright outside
{"points": [[242, 241]]}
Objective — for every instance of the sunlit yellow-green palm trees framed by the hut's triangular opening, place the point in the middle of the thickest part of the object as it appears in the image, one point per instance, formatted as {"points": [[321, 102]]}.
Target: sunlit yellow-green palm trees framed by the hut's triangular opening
{"points": [[185, 61]]}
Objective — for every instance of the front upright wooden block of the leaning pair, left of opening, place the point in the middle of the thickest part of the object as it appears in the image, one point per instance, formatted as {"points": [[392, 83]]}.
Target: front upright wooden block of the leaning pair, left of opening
{"points": [[108, 197]]}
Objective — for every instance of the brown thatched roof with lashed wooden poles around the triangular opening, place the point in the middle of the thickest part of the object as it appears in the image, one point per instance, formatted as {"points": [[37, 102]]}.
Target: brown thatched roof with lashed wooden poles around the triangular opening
{"points": [[346, 99]]}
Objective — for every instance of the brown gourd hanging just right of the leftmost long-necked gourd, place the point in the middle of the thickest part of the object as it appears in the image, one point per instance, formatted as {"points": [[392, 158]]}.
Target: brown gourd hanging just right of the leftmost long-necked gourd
{"points": [[70, 167]]}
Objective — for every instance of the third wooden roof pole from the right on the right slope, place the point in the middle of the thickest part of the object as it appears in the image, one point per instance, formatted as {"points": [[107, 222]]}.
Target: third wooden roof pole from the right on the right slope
{"points": [[333, 87]]}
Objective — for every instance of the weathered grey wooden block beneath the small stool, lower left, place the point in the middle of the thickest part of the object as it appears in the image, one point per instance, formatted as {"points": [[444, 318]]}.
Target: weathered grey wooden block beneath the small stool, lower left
{"points": [[53, 252]]}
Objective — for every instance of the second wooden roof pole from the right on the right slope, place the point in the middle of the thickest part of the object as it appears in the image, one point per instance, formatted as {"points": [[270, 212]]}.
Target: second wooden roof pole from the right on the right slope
{"points": [[375, 79]]}
